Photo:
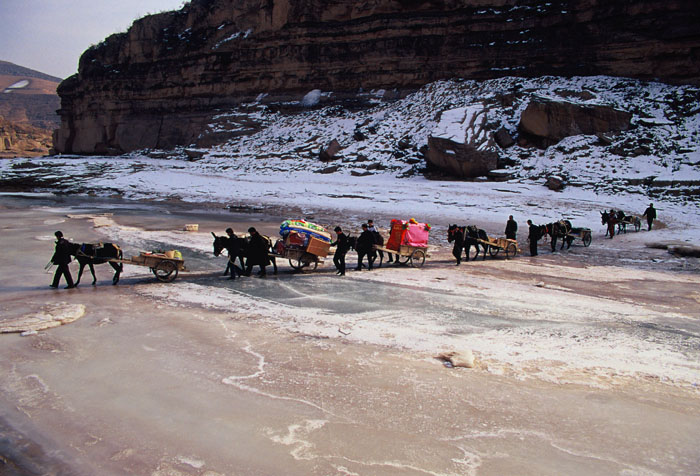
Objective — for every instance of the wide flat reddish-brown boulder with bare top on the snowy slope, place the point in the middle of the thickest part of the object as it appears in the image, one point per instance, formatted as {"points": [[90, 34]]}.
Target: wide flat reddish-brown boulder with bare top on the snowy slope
{"points": [[545, 121]]}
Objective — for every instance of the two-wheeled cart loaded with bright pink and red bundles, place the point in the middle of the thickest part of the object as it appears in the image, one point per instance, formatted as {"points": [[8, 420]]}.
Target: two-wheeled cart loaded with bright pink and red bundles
{"points": [[408, 241]]}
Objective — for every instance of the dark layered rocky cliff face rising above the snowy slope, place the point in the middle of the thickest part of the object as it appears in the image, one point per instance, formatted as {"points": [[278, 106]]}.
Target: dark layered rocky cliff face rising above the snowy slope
{"points": [[158, 84]]}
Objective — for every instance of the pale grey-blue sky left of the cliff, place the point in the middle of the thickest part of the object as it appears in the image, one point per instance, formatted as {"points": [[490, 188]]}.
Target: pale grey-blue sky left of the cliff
{"points": [[50, 35]]}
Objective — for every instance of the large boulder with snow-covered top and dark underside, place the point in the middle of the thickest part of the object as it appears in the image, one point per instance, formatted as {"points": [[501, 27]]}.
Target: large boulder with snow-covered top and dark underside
{"points": [[462, 144]]}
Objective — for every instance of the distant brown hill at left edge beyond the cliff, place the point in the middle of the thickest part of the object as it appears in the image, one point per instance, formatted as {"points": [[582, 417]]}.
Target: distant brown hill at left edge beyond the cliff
{"points": [[28, 104]]}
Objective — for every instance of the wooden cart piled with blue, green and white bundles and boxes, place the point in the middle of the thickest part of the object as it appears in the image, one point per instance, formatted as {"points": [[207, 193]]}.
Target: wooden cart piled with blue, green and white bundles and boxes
{"points": [[303, 243]]}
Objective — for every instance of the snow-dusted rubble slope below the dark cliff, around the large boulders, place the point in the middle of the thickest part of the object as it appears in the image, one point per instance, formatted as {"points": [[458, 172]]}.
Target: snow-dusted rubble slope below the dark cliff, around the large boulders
{"points": [[659, 155]]}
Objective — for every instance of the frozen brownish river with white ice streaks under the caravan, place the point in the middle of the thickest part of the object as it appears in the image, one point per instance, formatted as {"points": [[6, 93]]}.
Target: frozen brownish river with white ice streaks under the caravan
{"points": [[581, 367]]}
